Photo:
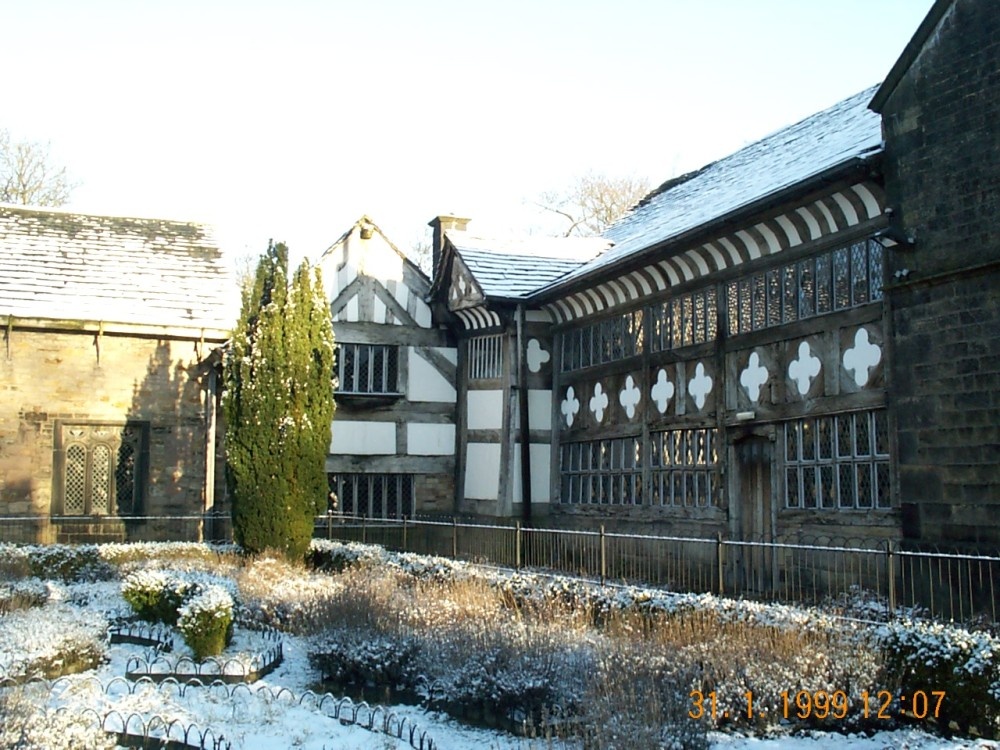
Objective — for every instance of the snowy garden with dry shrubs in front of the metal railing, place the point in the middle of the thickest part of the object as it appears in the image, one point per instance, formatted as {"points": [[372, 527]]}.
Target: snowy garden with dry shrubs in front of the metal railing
{"points": [[613, 665]]}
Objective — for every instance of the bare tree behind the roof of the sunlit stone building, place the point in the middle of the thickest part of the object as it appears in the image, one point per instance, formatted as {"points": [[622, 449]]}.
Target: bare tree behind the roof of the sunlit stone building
{"points": [[28, 176]]}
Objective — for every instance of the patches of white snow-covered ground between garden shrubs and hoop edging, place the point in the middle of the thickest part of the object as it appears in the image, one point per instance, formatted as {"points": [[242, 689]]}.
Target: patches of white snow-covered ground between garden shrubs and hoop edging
{"points": [[278, 711]]}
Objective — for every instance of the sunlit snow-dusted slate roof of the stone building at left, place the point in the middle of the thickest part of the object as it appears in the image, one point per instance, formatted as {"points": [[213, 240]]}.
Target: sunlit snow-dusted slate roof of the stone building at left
{"points": [[68, 266]]}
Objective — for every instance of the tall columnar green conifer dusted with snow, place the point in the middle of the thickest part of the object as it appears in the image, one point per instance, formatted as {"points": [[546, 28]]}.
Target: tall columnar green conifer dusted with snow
{"points": [[279, 407]]}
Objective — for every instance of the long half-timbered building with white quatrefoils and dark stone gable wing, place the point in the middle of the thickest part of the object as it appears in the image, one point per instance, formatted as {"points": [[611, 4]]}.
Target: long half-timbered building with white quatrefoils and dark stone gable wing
{"points": [[795, 342]]}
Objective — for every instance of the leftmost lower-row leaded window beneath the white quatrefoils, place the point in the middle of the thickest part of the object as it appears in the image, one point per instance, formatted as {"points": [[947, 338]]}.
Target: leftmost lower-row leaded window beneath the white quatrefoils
{"points": [[602, 472]]}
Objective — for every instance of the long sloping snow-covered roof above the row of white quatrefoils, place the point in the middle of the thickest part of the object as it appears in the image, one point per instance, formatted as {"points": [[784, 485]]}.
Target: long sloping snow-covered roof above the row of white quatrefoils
{"points": [[846, 131]]}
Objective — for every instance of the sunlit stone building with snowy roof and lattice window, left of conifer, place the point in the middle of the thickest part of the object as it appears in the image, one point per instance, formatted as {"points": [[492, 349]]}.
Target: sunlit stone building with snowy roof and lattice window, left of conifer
{"points": [[108, 382]]}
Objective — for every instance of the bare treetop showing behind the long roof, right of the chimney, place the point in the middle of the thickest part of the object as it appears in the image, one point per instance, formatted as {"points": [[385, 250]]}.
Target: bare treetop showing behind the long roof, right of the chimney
{"points": [[594, 201]]}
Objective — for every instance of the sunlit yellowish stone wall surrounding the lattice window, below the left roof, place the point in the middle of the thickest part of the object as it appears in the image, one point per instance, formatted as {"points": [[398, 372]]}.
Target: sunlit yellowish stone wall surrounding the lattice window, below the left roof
{"points": [[50, 377]]}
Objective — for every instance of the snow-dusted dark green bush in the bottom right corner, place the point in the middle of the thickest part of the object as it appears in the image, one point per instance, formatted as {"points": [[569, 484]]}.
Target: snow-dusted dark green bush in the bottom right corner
{"points": [[963, 664]]}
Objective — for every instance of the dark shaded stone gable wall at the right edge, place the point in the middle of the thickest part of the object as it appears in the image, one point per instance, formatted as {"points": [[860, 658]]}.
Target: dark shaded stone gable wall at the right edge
{"points": [[943, 182]]}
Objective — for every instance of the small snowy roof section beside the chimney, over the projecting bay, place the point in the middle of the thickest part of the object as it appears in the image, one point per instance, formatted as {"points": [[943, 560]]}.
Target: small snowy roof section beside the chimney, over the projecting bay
{"points": [[514, 268]]}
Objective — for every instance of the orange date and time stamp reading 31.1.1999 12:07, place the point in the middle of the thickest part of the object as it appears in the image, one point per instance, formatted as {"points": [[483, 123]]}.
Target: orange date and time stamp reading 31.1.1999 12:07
{"points": [[820, 705]]}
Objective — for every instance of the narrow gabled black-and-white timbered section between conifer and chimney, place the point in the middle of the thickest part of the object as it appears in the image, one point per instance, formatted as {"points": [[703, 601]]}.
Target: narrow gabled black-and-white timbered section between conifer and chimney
{"points": [[393, 448]]}
